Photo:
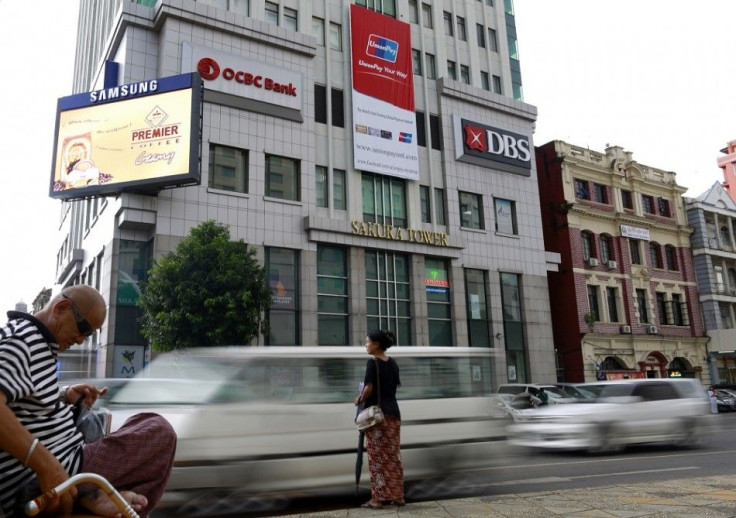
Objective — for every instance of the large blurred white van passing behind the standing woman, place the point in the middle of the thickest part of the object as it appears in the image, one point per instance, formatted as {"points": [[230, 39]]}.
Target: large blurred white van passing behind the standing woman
{"points": [[280, 420]]}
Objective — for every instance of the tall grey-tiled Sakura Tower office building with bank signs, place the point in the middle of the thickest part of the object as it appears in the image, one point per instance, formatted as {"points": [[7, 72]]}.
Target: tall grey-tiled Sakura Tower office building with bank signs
{"points": [[451, 256]]}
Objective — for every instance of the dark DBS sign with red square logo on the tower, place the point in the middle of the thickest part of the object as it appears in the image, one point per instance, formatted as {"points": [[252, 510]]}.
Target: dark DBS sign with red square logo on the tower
{"points": [[489, 146]]}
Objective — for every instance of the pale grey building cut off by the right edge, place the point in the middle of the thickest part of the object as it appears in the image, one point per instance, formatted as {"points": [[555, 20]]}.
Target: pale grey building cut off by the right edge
{"points": [[712, 215]]}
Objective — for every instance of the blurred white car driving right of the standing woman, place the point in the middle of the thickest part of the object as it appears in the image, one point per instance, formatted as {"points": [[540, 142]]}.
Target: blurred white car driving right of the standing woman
{"points": [[626, 412]]}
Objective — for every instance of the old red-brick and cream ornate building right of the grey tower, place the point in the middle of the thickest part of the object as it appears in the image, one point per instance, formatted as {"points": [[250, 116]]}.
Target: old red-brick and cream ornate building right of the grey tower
{"points": [[624, 302]]}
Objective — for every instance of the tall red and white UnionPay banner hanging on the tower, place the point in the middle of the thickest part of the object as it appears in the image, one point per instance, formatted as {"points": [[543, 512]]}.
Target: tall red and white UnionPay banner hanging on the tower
{"points": [[384, 121]]}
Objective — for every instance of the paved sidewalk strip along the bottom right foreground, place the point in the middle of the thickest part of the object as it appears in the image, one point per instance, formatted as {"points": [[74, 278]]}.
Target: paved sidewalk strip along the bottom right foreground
{"points": [[691, 498]]}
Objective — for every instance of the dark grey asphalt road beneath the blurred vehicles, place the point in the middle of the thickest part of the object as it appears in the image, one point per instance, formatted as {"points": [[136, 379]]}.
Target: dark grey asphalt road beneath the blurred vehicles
{"points": [[521, 472]]}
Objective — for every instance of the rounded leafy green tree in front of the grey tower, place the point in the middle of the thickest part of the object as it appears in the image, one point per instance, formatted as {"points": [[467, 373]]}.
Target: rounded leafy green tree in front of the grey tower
{"points": [[210, 291]]}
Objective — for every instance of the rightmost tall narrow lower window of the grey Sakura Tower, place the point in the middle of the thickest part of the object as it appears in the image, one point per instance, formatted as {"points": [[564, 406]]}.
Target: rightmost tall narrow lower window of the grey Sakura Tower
{"points": [[513, 327]]}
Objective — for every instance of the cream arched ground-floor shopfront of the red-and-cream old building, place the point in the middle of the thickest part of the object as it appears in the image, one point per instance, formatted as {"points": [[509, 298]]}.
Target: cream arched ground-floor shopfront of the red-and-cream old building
{"points": [[629, 358]]}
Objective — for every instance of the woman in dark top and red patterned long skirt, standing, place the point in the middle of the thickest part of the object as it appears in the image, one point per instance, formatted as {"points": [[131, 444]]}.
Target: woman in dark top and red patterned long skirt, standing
{"points": [[383, 441]]}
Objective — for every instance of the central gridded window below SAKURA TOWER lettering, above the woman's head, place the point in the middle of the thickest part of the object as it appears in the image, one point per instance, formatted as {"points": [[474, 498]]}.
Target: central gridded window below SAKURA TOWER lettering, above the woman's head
{"points": [[388, 302]]}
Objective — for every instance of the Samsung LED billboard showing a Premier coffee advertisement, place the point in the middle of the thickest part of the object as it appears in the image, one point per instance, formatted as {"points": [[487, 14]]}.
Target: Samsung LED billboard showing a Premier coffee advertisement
{"points": [[137, 137]]}
